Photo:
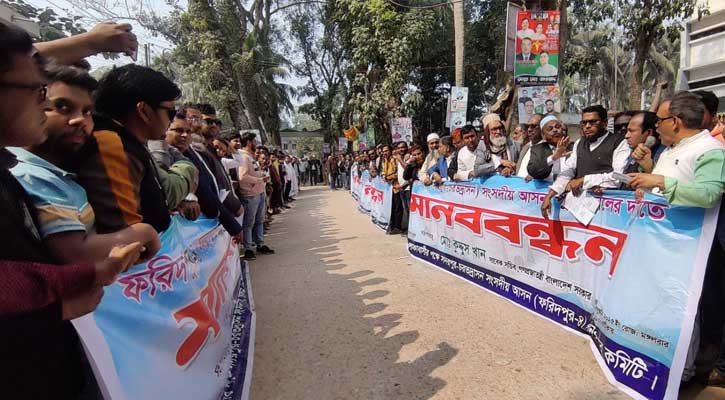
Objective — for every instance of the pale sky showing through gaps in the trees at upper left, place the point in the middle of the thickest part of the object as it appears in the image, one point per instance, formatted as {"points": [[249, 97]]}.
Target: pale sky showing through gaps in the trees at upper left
{"points": [[157, 44]]}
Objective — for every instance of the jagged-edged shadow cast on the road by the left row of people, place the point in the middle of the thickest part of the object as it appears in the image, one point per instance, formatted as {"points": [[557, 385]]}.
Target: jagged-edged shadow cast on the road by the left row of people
{"points": [[322, 330]]}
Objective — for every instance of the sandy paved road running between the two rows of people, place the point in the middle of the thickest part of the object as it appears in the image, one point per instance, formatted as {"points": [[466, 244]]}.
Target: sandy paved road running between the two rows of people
{"points": [[344, 313]]}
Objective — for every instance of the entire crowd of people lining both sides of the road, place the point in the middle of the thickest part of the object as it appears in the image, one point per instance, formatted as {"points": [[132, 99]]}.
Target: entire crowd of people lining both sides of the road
{"points": [[92, 172]]}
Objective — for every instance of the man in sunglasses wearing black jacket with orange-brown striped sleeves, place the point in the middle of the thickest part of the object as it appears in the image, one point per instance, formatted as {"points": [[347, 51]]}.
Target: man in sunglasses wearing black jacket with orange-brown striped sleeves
{"points": [[124, 185]]}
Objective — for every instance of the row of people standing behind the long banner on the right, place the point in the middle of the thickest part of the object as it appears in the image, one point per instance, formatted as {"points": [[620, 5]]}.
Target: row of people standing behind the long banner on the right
{"points": [[677, 152]]}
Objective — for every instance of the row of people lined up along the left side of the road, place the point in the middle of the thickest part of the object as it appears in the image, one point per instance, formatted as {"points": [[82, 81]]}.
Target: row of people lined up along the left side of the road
{"points": [[92, 173]]}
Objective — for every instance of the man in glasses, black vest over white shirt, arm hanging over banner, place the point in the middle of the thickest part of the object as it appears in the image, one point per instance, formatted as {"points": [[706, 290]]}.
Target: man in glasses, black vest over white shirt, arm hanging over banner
{"points": [[596, 155]]}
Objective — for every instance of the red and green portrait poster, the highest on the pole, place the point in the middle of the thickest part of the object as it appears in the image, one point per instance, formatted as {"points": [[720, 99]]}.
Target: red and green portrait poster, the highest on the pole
{"points": [[537, 48]]}
